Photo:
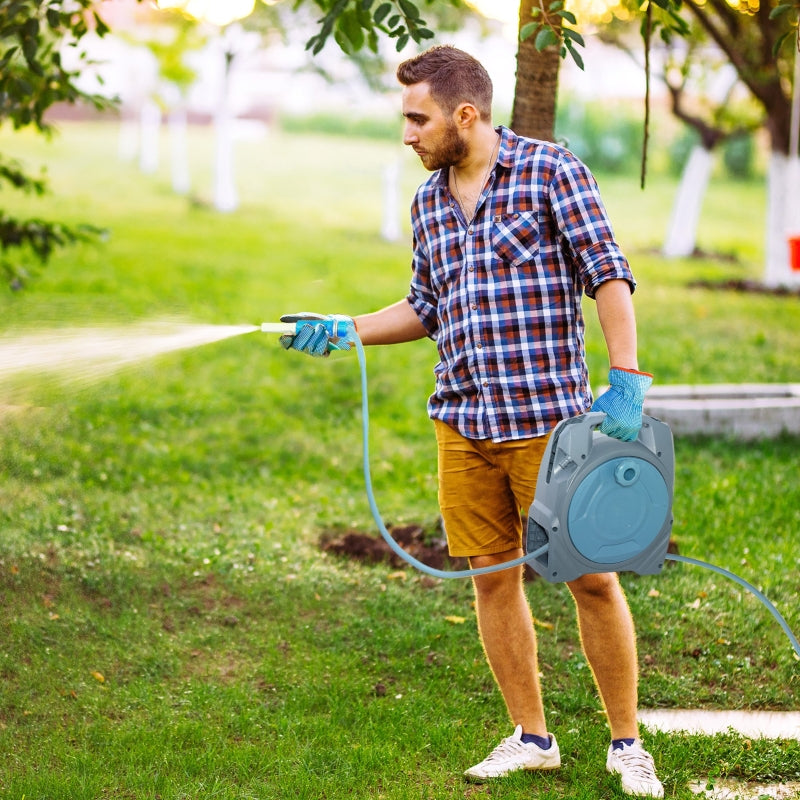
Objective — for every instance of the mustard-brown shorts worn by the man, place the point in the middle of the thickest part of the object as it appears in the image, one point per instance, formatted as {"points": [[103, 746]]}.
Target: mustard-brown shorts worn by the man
{"points": [[484, 489]]}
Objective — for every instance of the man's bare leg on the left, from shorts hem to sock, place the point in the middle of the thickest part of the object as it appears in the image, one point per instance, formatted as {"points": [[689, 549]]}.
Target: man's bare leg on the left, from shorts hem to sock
{"points": [[509, 639]]}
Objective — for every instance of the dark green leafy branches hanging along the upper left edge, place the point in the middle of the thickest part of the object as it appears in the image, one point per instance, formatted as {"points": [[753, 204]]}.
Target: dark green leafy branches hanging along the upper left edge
{"points": [[33, 77]]}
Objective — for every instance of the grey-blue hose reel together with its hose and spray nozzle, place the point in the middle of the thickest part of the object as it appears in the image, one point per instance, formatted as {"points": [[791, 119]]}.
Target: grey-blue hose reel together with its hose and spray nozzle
{"points": [[569, 534]]}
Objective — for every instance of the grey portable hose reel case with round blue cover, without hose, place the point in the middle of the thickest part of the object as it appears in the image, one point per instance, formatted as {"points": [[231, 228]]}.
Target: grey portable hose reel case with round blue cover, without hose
{"points": [[602, 505]]}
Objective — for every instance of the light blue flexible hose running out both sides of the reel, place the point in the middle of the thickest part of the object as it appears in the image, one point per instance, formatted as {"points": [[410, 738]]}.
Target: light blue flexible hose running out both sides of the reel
{"points": [[465, 573]]}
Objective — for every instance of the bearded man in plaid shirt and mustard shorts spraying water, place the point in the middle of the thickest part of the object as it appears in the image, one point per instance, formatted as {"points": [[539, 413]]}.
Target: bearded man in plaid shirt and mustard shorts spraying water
{"points": [[508, 234]]}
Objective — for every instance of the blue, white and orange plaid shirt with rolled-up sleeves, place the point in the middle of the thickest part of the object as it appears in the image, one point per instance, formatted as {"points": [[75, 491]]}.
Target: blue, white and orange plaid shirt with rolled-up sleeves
{"points": [[502, 296]]}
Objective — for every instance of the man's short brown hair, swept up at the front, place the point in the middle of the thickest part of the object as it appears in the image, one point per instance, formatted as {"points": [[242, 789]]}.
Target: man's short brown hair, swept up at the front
{"points": [[454, 77]]}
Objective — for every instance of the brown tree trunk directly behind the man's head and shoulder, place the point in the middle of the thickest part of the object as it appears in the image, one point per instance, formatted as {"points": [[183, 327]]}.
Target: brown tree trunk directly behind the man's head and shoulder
{"points": [[534, 111]]}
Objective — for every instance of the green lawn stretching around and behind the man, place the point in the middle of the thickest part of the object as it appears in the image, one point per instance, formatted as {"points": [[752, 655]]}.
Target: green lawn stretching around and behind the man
{"points": [[171, 627]]}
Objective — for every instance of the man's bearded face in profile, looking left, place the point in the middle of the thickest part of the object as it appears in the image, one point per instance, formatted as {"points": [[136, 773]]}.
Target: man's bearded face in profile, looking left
{"points": [[434, 136]]}
